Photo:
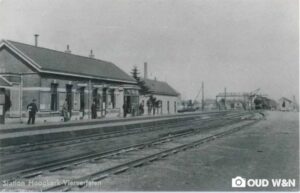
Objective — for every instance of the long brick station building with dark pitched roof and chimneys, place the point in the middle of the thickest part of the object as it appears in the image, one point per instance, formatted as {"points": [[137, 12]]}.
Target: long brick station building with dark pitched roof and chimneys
{"points": [[52, 77]]}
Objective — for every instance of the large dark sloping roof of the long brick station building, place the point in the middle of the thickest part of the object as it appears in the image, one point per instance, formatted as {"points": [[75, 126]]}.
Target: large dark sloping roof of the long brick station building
{"points": [[52, 61]]}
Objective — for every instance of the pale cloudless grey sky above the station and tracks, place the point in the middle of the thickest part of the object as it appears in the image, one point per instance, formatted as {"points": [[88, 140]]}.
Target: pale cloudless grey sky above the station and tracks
{"points": [[238, 44]]}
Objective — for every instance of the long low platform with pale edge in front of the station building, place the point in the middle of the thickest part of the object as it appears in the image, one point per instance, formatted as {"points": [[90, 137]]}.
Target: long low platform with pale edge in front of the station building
{"points": [[24, 134]]}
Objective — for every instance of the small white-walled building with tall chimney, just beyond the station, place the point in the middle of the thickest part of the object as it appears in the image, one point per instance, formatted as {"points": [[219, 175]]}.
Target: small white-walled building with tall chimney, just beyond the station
{"points": [[167, 97]]}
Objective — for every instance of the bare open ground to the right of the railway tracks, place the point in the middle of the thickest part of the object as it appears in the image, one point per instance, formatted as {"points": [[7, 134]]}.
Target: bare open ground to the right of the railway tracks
{"points": [[266, 150]]}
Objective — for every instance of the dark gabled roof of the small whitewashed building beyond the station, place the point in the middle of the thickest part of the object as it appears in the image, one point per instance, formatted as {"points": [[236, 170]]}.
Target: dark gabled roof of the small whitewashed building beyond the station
{"points": [[160, 87]]}
